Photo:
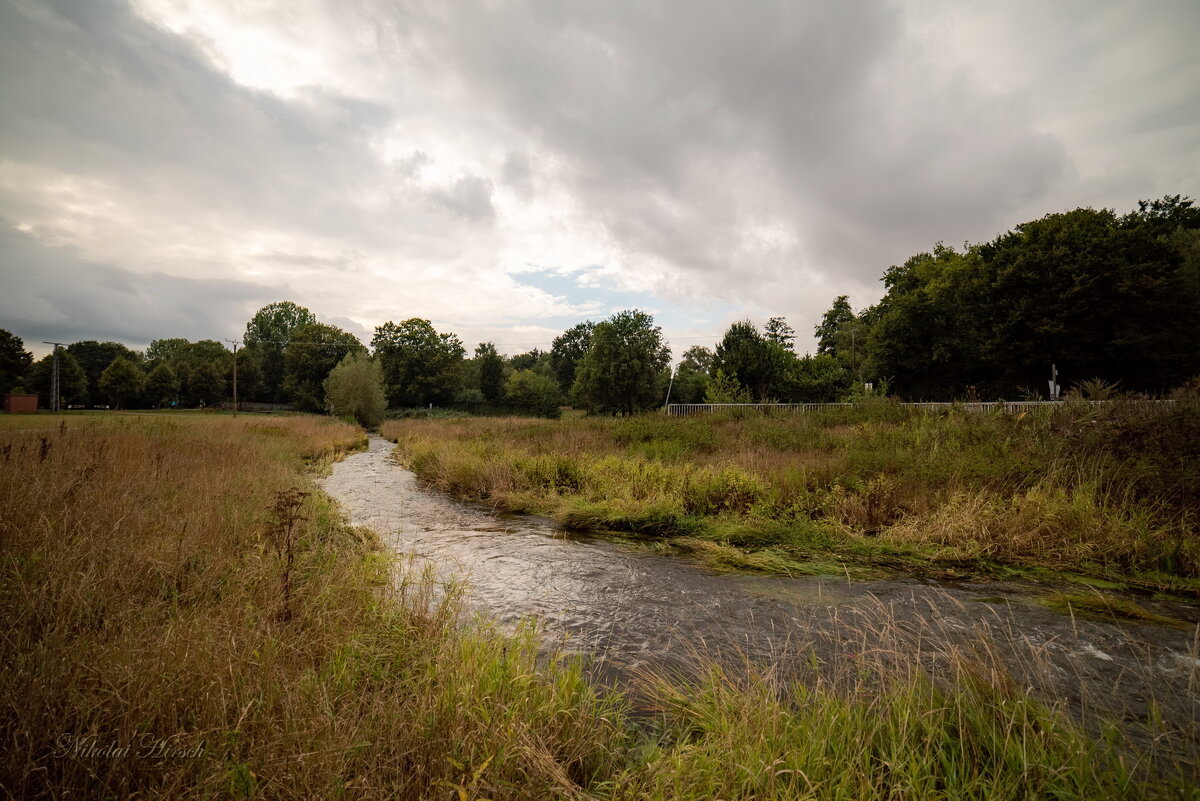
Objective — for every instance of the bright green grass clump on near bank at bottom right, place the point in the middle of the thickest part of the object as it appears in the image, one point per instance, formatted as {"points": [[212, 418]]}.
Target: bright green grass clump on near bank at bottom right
{"points": [[737, 739]]}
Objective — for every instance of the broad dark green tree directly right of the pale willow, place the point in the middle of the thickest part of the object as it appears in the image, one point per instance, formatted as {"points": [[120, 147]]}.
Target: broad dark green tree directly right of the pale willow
{"points": [[421, 366]]}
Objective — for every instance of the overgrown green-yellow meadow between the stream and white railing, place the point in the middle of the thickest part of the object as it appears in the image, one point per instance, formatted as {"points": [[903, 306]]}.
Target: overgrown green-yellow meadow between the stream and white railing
{"points": [[1101, 492]]}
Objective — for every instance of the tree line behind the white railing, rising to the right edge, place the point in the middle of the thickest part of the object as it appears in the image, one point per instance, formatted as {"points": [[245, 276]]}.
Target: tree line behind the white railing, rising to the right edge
{"points": [[1112, 302]]}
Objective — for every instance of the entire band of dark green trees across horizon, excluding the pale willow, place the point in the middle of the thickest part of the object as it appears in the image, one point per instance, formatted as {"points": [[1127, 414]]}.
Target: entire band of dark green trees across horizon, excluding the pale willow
{"points": [[1113, 302]]}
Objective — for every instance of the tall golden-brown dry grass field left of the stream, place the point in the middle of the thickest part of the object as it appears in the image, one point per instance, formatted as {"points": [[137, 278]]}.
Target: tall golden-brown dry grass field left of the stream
{"points": [[148, 649]]}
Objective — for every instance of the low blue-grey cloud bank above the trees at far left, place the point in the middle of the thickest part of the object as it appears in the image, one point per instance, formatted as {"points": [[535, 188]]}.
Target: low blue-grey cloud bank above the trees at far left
{"points": [[51, 293]]}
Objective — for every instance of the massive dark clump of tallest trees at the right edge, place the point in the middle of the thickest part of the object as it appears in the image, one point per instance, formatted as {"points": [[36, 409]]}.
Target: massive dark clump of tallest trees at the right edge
{"points": [[1095, 294]]}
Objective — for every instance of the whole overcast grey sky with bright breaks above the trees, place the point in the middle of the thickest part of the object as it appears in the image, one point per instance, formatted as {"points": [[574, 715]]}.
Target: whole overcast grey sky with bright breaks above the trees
{"points": [[508, 170]]}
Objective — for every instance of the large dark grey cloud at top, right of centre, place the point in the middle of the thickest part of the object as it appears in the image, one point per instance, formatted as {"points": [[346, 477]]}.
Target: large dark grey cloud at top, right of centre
{"points": [[681, 123]]}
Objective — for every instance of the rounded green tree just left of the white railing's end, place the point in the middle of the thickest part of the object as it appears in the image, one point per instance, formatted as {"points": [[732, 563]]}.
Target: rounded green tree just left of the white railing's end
{"points": [[626, 369]]}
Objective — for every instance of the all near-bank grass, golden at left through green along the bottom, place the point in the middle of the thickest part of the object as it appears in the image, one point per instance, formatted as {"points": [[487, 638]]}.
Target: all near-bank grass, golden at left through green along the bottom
{"points": [[146, 657]]}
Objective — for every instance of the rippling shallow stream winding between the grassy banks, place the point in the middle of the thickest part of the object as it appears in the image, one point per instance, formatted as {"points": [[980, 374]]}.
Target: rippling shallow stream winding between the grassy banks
{"points": [[632, 611]]}
